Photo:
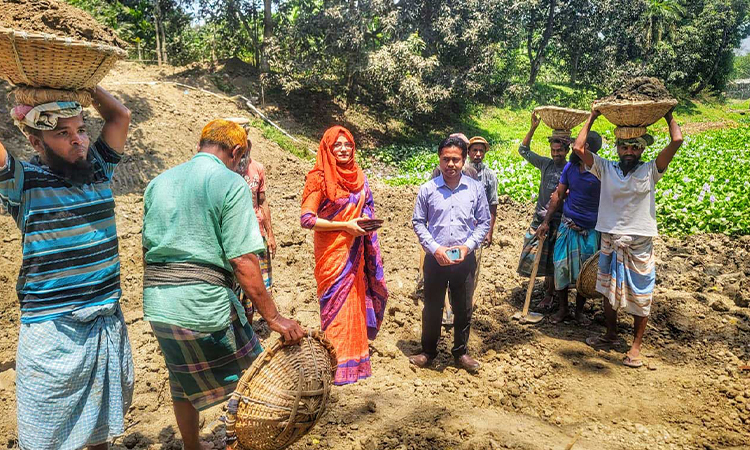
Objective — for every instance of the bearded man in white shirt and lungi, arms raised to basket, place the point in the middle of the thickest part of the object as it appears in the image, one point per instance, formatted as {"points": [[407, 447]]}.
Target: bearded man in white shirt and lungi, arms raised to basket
{"points": [[627, 223]]}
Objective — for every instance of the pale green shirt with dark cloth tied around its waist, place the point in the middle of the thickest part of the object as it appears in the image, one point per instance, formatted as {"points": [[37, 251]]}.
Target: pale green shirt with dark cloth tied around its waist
{"points": [[198, 212]]}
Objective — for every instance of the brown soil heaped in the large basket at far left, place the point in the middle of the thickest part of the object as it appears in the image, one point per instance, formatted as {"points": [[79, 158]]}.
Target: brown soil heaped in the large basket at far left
{"points": [[55, 17]]}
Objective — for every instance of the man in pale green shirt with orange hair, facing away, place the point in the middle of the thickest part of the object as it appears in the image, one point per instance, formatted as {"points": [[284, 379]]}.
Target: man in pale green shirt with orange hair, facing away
{"points": [[200, 234]]}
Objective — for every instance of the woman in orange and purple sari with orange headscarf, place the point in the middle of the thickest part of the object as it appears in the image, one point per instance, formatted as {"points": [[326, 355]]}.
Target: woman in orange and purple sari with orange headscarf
{"points": [[348, 264]]}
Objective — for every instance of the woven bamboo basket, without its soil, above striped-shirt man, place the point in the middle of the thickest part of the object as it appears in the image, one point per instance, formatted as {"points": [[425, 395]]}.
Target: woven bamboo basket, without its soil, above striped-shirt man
{"points": [[44, 60]]}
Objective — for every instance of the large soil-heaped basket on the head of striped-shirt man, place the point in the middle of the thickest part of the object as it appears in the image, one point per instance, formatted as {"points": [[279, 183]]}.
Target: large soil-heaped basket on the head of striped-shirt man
{"points": [[50, 44]]}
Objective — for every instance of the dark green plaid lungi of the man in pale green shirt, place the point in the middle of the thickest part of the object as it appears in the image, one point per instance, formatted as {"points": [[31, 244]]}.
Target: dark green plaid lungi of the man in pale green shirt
{"points": [[204, 367]]}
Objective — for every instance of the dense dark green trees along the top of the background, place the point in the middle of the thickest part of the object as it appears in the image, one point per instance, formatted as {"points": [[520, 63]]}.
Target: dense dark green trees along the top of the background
{"points": [[424, 61]]}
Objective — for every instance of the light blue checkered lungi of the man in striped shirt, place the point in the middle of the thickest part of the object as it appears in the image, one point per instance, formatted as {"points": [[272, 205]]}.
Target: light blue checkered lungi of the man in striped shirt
{"points": [[74, 380]]}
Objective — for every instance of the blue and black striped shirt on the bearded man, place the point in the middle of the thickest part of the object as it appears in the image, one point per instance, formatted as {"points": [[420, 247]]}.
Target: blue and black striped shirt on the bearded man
{"points": [[69, 238]]}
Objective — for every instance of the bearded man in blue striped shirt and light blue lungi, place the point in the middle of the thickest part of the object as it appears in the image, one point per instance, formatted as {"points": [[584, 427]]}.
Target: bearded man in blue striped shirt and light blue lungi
{"points": [[74, 364]]}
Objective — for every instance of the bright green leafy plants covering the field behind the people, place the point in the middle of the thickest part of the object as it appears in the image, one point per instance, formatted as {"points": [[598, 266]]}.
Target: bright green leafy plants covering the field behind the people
{"points": [[705, 189]]}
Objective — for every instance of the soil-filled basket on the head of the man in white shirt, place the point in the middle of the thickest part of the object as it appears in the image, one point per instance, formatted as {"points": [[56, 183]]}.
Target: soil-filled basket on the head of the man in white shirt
{"points": [[638, 104]]}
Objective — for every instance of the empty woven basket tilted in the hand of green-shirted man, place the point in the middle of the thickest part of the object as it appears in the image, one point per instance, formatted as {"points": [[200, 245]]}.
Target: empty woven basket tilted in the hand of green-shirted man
{"points": [[282, 395]]}
